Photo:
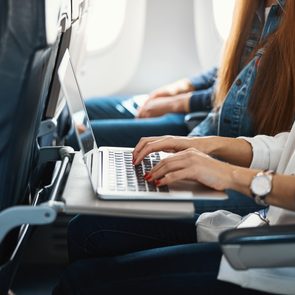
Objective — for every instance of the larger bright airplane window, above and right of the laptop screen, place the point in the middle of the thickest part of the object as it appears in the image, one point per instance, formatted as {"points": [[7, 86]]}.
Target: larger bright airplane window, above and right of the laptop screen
{"points": [[105, 21]]}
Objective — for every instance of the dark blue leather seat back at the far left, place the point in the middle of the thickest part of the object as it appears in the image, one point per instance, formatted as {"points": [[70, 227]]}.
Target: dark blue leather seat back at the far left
{"points": [[26, 64]]}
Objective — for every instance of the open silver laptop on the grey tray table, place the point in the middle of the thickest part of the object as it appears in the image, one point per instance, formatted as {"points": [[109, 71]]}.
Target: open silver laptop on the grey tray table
{"points": [[110, 169]]}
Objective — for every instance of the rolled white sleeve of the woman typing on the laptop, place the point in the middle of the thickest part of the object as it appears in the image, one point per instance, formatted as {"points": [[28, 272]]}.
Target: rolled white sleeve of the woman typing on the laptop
{"points": [[267, 150]]}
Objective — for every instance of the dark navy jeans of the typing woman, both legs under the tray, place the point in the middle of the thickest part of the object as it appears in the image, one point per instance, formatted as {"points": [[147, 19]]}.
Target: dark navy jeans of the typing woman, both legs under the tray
{"points": [[155, 257]]}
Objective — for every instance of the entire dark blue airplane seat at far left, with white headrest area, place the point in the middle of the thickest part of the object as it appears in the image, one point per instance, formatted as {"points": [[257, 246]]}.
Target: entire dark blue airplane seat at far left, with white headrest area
{"points": [[29, 44]]}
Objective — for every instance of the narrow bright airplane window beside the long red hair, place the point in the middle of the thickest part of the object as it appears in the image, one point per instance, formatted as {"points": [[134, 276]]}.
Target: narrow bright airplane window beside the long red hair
{"points": [[223, 11]]}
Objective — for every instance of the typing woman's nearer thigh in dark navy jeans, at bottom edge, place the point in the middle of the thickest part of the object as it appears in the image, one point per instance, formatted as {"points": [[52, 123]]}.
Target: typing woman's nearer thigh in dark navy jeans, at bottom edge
{"points": [[181, 269]]}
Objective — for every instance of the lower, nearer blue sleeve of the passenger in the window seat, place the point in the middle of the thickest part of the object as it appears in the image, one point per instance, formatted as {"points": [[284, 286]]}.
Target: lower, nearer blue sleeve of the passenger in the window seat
{"points": [[201, 100]]}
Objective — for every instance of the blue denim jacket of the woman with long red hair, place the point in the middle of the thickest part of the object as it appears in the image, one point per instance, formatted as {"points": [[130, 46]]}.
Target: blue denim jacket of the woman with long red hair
{"points": [[233, 118]]}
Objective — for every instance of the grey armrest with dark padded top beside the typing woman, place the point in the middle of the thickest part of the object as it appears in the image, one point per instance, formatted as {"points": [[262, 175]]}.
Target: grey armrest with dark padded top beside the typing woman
{"points": [[268, 246]]}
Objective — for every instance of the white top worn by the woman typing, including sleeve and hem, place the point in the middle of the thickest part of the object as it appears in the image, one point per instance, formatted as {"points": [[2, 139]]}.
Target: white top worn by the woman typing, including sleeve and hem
{"points": [[276, 153]]}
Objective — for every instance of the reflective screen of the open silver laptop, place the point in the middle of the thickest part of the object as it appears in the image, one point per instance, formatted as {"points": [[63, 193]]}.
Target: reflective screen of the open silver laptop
{"points": [[76, 105]]}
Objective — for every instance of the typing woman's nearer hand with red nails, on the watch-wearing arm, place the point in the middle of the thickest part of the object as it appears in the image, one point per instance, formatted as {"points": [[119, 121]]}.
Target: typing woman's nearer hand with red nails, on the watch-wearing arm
{"points": [[192, 164]]}
